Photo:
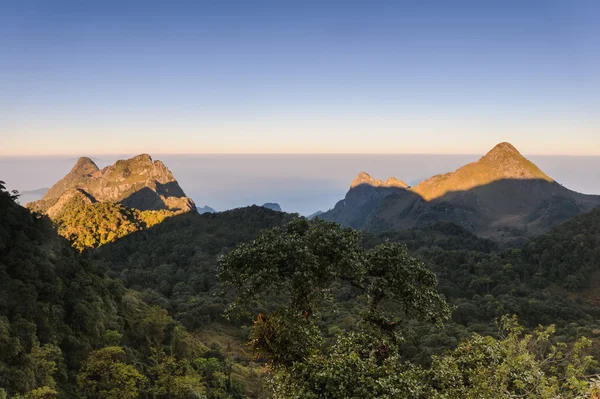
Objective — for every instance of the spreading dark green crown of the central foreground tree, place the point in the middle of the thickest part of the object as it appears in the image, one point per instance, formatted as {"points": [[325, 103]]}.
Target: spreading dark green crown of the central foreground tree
{"points": [[303, 259]]}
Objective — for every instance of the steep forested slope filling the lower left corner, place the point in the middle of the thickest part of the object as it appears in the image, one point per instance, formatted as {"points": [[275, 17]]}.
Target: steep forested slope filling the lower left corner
{"points": [[69, 330]]}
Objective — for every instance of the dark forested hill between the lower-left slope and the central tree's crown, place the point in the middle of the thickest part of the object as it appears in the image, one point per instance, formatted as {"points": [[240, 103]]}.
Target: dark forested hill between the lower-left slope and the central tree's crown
{"points": [[174, 263]]}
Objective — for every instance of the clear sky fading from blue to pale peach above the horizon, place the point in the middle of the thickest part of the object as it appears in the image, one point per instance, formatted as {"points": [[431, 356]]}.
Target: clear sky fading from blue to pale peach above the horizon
{"points": [[102, 77]]}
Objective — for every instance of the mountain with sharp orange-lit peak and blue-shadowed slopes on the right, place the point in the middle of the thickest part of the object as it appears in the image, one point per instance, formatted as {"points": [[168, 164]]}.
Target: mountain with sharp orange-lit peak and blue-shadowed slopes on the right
{"points": [[502, 196]]}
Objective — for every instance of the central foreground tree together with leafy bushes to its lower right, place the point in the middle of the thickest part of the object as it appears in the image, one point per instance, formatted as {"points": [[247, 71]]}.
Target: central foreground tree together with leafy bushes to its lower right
{"points": [[296, 268]]}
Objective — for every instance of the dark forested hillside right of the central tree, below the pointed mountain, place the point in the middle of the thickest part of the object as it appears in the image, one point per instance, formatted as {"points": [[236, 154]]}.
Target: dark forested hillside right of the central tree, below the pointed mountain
{"points": [[483, 283]]}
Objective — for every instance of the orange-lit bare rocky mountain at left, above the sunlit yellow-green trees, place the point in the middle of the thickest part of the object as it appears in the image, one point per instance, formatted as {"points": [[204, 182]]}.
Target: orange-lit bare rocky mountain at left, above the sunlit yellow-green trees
{"points": [[139, 183]]}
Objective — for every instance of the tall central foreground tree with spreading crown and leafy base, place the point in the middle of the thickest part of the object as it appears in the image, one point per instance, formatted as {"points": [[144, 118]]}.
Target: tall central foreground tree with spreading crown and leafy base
{"points": [[295, 267]]}
